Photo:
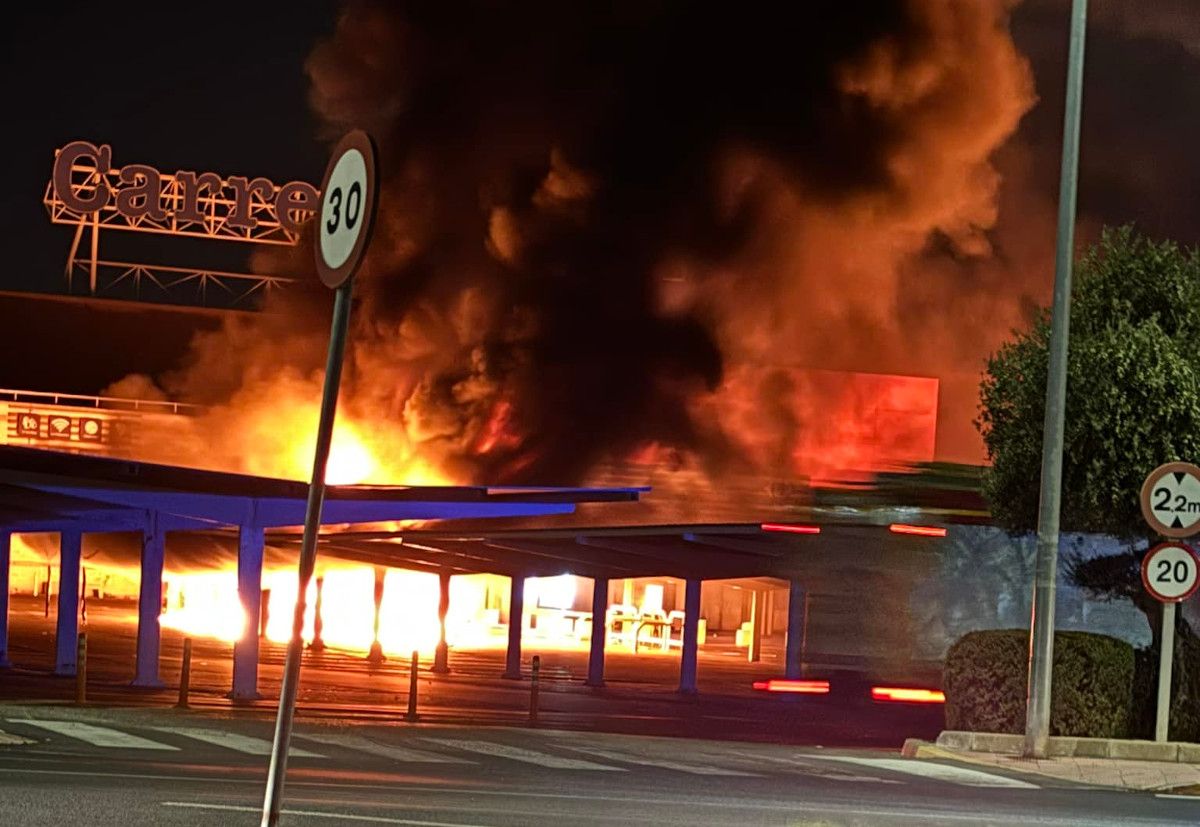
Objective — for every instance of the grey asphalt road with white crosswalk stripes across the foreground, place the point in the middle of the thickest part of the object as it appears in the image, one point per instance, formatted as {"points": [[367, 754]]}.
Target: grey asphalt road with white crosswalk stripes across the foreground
{"points": [[153, 768]]}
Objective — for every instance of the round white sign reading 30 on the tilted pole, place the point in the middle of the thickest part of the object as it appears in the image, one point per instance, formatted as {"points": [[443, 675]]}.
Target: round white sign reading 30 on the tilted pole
{"points": [[346, 215]]}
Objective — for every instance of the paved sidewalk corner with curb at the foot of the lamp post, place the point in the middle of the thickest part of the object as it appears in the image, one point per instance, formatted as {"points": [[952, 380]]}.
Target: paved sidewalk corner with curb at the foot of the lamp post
{"points": [[1121, 774]]}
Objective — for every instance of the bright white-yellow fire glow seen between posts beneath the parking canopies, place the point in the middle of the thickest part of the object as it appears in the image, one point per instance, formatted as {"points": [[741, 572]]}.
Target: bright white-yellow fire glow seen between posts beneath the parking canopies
{"points": [[645, 615]]}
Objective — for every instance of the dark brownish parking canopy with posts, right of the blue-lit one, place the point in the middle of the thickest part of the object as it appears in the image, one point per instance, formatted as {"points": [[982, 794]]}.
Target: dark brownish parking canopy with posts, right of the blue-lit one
{"points": [[807, 556]]}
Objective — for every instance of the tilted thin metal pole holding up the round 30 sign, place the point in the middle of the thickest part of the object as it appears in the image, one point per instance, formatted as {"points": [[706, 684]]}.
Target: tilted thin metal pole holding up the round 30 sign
{"points": [[308, 554]]}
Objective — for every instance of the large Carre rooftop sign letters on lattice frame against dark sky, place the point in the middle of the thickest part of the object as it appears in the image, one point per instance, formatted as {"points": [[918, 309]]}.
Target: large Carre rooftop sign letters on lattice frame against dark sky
{"points": [[87, 189]]}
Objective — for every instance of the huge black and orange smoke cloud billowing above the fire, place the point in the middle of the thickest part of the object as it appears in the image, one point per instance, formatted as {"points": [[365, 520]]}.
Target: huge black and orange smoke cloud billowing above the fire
{"points": [[598, 214]]}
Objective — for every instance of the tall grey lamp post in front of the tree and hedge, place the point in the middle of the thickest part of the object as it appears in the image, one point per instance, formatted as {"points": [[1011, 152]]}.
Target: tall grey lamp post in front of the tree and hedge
{"points": [[1037, 714]]}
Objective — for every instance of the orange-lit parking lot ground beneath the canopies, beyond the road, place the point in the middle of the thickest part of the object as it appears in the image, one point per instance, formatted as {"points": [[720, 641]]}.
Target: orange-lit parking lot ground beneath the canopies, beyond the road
{"points": [[640, 698]]}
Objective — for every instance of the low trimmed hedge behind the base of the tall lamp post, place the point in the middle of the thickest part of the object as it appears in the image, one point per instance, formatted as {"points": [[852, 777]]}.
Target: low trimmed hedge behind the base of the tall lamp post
{"points": [[1093, 697]]}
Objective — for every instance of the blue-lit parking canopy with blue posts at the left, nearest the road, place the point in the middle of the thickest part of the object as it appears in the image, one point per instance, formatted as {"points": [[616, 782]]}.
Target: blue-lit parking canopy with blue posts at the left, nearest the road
{"points": [[73, 495]]}
